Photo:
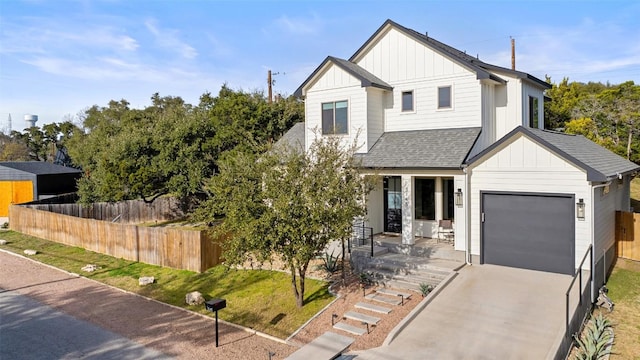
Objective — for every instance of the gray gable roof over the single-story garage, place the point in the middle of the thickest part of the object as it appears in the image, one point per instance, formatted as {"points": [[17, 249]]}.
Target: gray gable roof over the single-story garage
{"points": [[599, 163]]}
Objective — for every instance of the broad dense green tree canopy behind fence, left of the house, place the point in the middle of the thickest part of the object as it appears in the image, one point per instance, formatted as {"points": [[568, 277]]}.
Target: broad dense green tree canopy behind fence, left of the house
{"points": [[170, 147]]}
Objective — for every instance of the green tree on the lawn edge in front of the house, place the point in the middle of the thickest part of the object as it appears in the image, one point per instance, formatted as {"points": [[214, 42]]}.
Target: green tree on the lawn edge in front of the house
{"points": [[286, 203]]}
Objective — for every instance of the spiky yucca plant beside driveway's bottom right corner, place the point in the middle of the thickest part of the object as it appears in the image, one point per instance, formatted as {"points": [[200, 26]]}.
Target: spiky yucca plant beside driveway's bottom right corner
{"points": [[595, 338]]}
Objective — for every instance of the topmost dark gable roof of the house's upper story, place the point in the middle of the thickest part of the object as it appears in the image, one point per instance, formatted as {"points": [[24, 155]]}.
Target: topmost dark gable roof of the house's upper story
{"points": [[482, 69]]}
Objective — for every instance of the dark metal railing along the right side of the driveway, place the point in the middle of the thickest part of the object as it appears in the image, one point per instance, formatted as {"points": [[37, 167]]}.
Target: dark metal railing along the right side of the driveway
{"points": [[573, 325]]}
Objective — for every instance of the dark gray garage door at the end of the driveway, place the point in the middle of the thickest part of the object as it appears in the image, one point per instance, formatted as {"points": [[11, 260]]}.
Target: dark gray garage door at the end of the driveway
{"points": [[529, 231]]}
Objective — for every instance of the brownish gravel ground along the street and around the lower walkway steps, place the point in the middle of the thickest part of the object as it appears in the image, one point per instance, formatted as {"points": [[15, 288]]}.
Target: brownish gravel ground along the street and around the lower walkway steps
{"points": [[177, 332]]}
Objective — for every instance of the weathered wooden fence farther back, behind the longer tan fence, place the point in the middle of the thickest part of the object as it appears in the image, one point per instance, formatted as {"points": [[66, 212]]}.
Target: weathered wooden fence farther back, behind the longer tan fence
{"points": [[125, 212]]}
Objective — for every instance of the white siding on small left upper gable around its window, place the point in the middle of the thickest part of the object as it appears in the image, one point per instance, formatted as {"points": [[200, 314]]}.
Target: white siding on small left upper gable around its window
{"points": [[337, 85]]}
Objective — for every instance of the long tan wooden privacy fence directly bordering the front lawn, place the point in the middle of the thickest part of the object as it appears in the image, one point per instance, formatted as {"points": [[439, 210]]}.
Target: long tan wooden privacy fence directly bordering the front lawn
{"points": [[174, 248]]}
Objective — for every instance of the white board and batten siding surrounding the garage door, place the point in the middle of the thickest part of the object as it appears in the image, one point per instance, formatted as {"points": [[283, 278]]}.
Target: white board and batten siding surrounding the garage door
{"points": [[525, 166]]}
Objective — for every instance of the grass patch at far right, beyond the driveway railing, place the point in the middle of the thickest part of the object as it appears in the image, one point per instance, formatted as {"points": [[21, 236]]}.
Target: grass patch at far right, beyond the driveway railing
{"points": [[624, 290]]}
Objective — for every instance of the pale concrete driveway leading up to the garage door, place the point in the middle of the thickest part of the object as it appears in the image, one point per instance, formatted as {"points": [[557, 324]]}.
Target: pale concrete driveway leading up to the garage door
{"points": [[486, 312]]}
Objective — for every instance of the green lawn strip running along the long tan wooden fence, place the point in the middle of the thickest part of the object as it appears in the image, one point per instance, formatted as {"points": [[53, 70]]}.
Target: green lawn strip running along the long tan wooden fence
{"points": [[258, 299]]}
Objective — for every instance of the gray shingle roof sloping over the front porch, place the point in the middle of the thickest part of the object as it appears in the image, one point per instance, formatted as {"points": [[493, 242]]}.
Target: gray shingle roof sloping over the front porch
{"points": [[421, 149]]}
